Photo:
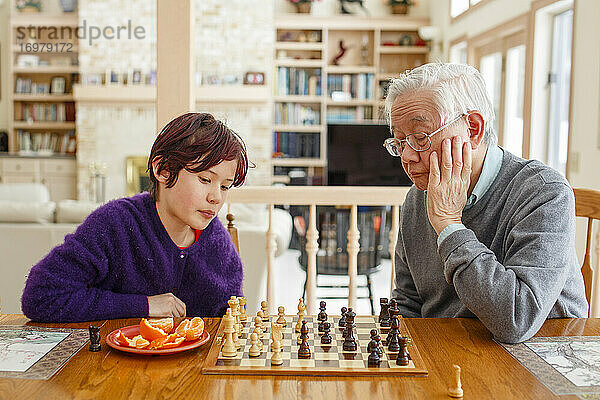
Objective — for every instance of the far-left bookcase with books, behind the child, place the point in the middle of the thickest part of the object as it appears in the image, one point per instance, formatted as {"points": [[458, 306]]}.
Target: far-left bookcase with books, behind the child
{"points": [[43, 64]]}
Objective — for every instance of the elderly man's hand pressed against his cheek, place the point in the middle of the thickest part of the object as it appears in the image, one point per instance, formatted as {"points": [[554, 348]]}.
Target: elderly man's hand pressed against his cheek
{"points": [[447, 191]]}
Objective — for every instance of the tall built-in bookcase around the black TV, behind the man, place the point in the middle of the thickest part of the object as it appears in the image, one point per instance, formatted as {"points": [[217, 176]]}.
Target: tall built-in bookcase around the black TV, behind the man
{"points": [[310, 90]]}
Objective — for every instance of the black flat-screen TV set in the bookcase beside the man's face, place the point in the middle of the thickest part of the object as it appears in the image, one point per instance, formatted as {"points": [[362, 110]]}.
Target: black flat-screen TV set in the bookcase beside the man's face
{"points": [[356, 157]]}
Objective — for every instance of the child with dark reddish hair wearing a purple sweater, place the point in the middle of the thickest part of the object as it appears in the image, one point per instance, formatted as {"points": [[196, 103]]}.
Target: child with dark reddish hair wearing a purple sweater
{"points": [[156, 254]]}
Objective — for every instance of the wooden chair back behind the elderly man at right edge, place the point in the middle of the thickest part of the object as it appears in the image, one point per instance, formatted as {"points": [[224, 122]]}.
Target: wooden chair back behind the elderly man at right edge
{"points": [[587, 205]]}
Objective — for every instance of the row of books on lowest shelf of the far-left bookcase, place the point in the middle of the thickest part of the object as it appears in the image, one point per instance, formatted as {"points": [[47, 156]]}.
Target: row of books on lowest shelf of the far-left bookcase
{"points": [[46, 142]]}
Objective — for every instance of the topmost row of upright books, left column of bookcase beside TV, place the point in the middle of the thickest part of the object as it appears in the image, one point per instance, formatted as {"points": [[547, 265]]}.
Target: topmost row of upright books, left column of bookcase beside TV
{"points": [[298, 81]]}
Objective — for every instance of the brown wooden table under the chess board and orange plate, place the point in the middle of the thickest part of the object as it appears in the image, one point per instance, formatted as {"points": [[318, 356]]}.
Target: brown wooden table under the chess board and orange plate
{"points": [[489, 372]]}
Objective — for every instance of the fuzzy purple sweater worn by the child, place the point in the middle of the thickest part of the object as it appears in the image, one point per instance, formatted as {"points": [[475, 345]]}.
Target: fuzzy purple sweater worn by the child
{"points": [[120, 255]]}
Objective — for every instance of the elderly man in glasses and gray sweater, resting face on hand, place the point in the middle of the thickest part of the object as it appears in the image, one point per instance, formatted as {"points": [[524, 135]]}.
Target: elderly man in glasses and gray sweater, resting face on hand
{"points": [[483, 233]]}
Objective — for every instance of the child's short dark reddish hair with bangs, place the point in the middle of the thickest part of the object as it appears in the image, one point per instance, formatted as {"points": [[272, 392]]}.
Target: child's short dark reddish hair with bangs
{"points": [[195, 142]]}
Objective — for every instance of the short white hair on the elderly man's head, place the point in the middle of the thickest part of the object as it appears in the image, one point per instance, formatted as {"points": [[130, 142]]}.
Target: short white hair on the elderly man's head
{"points": [[457, 89]]}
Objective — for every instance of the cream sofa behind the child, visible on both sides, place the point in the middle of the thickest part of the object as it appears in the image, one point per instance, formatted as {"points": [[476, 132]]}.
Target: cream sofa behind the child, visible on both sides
{"points": [[31, 225]]}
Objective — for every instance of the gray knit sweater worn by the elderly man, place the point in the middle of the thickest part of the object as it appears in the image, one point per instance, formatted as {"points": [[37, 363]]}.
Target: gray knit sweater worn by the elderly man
{"points": [[513, 267]]}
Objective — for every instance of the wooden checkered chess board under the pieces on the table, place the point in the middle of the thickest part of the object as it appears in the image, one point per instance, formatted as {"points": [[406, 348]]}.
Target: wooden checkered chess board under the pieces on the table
{"points": [[325, 359]]}
